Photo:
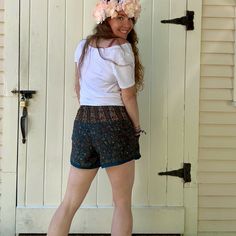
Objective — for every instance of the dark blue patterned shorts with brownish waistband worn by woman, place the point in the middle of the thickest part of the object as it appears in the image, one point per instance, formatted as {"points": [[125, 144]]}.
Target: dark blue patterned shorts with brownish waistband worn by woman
{"points": [[103, 136]]}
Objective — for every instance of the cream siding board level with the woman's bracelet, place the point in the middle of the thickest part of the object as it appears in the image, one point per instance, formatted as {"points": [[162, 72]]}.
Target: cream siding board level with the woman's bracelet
{"points": [[218, 130]]}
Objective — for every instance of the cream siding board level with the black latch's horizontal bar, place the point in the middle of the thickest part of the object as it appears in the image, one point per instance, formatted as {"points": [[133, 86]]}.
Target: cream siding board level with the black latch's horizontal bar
{"points": [[216, 94]]}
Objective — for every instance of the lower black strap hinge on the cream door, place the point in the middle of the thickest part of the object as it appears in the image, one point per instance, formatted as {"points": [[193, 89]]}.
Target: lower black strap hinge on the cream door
{"points": [[184, 173]]}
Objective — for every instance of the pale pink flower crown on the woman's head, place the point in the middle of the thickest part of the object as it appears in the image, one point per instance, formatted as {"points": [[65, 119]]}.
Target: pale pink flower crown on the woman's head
{"points": [[105, 8]]}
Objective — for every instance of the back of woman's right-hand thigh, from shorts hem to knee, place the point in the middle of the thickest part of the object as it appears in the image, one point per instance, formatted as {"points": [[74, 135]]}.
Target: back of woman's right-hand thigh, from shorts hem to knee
{"points": [[122, 179]]}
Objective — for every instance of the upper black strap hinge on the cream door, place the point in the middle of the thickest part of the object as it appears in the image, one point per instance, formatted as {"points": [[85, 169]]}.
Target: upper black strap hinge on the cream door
{"points": [[184, 20]]}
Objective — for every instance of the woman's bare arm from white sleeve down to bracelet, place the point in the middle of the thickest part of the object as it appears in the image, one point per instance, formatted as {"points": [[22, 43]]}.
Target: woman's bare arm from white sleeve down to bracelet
{"points": [[129, 97]]}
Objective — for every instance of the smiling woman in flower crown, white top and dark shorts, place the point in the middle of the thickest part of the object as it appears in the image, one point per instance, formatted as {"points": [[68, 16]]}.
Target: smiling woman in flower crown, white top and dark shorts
{"points": [[106, 128]]}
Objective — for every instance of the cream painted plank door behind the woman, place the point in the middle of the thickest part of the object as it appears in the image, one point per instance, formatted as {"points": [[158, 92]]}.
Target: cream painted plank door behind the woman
{"points": [[49, 32]]}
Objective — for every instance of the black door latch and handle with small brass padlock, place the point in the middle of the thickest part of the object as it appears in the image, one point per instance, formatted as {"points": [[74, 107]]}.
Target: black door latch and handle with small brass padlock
{"points": [[25, 96]]}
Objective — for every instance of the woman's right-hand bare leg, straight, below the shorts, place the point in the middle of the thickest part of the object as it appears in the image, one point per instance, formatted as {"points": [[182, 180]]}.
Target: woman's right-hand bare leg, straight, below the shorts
{"points": [[122, 179]]}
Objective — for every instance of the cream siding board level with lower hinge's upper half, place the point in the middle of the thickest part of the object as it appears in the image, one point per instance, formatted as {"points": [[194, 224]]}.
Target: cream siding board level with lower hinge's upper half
{"points": [[217, 166]]}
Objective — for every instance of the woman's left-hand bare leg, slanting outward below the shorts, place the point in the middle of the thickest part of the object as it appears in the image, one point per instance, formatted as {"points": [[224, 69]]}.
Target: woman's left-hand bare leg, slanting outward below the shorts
{"points": [[78, 185]]}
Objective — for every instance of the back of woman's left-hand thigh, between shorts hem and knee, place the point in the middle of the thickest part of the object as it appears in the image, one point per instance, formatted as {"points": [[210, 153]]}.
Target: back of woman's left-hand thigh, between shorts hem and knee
{"points": [[78, 184]]}
